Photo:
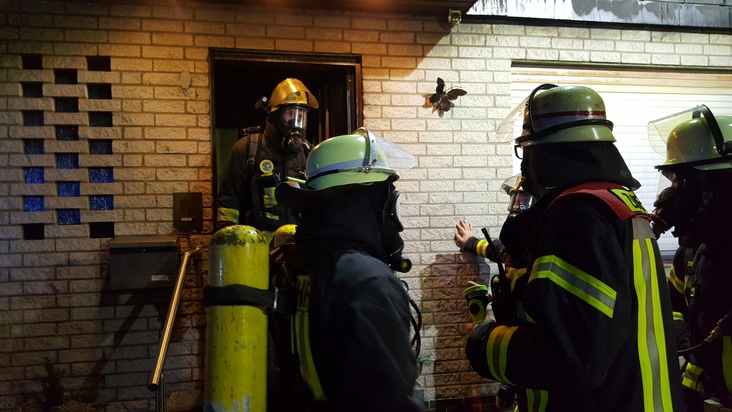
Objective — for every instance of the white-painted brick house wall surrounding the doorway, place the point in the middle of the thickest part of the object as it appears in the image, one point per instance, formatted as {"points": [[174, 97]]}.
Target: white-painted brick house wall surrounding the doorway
{"points": [[78, 165]]}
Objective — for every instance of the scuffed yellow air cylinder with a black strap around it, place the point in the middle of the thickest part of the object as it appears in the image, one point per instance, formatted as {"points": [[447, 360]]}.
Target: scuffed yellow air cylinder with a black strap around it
{"points": [[236, 336]]}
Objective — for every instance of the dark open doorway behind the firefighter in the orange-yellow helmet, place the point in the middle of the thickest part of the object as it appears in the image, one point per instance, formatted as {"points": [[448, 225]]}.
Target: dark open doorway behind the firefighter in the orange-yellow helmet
{"points": [[239, 78]]}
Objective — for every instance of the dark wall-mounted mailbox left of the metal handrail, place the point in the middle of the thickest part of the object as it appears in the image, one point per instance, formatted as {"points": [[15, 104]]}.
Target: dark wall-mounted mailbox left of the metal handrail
{"points": [[139, 262]]}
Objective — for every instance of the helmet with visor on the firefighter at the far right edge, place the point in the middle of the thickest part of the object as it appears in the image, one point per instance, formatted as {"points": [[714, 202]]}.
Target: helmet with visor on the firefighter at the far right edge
{"points": [[701, 141]]}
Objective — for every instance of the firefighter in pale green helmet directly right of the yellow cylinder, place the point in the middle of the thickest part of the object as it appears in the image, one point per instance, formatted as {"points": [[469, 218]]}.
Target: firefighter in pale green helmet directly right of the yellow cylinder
{"points": [[358, 356]]}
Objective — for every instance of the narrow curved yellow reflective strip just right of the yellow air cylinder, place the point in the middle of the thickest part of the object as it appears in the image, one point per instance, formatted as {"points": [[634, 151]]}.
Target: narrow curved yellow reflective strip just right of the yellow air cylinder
{"points": [[302, 339]]}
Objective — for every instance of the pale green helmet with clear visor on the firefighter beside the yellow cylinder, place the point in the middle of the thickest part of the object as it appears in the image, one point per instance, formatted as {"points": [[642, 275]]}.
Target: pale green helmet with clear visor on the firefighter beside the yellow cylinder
{"points": [[361, 157]]}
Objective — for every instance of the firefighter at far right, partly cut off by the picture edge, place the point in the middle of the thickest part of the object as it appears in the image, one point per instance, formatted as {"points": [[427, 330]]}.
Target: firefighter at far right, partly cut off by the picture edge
{"points": [[696, 204]]}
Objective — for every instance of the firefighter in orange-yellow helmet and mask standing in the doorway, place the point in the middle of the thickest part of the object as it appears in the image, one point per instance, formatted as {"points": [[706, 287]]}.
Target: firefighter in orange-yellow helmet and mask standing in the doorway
{"points": [[261, 160]]}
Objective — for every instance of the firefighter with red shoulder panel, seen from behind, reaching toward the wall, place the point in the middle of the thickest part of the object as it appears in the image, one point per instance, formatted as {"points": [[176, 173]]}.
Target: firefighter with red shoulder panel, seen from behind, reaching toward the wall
{"points": [[597, 334]]}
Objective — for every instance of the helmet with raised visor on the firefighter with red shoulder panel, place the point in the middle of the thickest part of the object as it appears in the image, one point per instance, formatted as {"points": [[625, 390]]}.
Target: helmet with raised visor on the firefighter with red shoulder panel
{"points": [[558, 114]]}
